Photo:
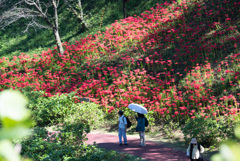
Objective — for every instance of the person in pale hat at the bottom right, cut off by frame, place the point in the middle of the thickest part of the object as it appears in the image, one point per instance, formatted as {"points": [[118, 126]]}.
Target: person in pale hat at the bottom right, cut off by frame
{"points": [[194, 149]]}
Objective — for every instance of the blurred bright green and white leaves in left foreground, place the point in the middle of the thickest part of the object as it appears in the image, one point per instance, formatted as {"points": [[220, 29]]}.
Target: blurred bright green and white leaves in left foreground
{"points": [[14, 123]]}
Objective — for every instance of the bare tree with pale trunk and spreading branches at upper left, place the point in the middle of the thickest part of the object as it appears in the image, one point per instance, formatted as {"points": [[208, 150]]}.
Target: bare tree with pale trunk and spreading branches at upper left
{"points": [[35, 11]]}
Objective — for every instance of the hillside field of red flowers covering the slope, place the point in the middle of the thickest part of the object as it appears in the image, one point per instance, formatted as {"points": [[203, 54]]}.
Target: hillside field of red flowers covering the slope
{"points": [[178, 59]]}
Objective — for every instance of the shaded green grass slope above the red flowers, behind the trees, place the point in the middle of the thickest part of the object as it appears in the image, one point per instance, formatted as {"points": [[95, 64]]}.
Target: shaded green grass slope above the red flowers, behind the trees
{"points": [[14, 42]]}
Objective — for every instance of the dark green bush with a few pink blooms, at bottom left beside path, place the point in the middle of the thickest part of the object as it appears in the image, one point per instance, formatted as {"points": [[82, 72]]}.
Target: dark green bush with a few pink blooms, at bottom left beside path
{"points": [[66, 144]]}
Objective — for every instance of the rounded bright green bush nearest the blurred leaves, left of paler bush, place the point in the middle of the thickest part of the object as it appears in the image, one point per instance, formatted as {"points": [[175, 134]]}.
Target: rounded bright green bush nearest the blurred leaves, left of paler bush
{"points": [[46, 110]]}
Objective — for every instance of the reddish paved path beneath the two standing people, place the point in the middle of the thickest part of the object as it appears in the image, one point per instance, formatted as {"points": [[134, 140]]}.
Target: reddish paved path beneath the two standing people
{"points": [[152, 151]]}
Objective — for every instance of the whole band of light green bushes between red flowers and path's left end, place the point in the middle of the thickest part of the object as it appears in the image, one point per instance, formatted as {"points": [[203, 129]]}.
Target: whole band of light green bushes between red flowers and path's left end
{"points": [[60, 108]]}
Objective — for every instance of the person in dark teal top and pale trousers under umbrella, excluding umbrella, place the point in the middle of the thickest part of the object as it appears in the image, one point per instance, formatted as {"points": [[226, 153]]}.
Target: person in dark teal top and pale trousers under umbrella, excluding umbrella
{"points": [[141, 128]]}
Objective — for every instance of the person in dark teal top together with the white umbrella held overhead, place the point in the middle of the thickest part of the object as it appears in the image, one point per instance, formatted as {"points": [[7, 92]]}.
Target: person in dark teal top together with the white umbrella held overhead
{"points": [[140, 121]]}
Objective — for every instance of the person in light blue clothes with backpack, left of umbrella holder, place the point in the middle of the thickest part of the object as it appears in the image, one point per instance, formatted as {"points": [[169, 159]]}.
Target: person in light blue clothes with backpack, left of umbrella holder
{"points": [[122, 128]]}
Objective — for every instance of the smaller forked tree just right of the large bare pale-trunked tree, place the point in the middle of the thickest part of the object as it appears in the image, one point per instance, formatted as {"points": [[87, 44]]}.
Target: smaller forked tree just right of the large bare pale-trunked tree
{"points": [[75, 6]]}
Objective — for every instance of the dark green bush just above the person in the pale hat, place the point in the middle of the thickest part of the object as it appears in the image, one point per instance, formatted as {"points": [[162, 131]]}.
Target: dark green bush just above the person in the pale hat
{"points": [[208, 131]]}
